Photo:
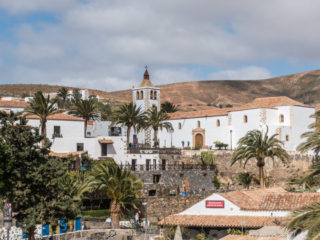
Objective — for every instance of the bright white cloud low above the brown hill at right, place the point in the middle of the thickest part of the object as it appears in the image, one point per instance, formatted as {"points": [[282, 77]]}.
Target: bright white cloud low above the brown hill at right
{"points": [[246, 73]]}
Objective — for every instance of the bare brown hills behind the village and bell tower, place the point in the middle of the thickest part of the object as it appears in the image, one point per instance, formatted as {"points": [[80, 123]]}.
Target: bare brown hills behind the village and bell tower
{"points": [[303, 87]]}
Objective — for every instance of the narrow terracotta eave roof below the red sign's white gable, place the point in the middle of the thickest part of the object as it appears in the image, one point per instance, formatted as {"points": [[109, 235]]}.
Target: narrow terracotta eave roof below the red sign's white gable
{"points": [[221, 221]]}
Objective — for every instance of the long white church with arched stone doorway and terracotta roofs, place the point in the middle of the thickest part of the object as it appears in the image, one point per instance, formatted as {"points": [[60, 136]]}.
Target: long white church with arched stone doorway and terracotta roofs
{"points": [[280, 115]]}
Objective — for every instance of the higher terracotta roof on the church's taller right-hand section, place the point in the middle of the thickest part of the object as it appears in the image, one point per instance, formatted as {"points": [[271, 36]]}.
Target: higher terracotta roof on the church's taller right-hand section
{"points": [[270, 102]]}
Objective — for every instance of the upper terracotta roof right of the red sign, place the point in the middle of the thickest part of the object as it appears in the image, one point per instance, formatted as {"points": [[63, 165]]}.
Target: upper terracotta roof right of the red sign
{"points": [[274, 199]]}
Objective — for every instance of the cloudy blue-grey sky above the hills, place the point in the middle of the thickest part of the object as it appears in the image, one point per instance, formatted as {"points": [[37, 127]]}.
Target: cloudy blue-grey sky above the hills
{"points": [[105, 44]]}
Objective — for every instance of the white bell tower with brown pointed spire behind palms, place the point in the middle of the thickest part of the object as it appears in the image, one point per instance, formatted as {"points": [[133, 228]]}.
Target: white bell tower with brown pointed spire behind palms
{"points": [[146, 96]]}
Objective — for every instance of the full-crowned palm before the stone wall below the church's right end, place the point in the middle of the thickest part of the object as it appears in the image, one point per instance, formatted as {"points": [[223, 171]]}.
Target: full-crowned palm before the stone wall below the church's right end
{"points": [[259, 146]]}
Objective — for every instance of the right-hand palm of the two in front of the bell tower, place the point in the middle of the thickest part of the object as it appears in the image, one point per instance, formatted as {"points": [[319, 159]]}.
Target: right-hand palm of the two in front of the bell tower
{"points": [[157, 120]]}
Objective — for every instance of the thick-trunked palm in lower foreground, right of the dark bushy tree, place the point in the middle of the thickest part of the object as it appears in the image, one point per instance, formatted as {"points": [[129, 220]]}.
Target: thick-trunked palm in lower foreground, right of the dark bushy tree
{"points": [[120, 186]]}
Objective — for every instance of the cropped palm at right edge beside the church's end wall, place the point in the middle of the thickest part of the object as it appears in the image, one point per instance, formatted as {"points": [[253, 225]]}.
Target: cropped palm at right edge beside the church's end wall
{"points": [[313, 137]]}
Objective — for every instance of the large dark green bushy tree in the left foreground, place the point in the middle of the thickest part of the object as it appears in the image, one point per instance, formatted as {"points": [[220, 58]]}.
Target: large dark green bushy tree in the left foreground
{"points": [[32, 185]]}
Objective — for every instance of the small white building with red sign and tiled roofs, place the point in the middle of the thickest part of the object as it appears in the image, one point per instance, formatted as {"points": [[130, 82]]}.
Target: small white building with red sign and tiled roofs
{"points": [[242, 210]]}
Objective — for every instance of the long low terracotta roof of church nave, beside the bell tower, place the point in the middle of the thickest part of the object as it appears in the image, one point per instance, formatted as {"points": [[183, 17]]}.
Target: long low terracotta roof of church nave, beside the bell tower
{"points": [[202, 113]]}
